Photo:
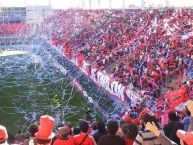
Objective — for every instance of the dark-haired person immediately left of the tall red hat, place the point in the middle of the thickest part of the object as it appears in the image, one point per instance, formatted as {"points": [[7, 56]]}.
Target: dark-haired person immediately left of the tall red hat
{"points": [[33, 129]]}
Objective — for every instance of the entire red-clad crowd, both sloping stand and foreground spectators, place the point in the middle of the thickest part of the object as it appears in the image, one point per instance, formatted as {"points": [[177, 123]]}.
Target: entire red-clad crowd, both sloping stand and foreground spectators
{"points": [[145, 50]]}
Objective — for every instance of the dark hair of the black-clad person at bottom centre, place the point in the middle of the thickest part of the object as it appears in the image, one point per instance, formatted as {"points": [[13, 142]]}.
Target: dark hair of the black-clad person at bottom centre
{"points": [[112, 127]]}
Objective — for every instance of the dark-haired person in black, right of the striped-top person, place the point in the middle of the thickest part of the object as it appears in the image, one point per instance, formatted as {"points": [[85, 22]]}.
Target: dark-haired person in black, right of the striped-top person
{"points": [[171, 128]]}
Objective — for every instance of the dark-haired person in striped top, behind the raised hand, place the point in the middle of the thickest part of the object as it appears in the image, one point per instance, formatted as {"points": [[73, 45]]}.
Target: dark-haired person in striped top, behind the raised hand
{"points": [[146, 137]]}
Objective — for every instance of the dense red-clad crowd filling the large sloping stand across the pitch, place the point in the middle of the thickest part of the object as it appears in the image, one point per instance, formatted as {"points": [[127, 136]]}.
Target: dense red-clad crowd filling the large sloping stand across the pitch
{"points": [[145, 50]]}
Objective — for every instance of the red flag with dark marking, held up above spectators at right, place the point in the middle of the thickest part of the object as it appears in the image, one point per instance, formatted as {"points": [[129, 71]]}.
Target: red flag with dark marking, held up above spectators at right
{"points": [[177, 96]]}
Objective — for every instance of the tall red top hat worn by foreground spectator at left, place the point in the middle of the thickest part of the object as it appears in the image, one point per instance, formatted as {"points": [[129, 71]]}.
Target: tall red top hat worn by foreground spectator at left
{"points": [[45, 128]]}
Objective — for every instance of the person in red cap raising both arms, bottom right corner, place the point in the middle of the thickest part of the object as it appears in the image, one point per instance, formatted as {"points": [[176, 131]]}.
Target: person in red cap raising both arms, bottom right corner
{"points": [[186, 137]]}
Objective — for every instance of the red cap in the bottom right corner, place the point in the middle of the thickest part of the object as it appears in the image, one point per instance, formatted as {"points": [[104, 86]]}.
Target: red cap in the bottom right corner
{"points": [[185, 136]]}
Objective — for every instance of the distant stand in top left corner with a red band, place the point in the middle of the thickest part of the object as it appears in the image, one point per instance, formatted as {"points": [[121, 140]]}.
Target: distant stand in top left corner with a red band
{"points": [[13, 27]]}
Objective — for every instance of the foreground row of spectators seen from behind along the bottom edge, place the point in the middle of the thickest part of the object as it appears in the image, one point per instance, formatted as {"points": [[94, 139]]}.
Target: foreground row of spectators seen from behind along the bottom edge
{"points": [[146, 131]]}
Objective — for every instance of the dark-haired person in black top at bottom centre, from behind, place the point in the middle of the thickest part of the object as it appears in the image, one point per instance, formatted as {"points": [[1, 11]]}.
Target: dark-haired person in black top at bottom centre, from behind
{"points": [[111, 138]]}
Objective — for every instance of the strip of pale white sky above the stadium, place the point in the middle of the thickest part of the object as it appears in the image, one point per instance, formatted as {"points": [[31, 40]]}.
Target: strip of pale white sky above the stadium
{"points": [[94, 3]]}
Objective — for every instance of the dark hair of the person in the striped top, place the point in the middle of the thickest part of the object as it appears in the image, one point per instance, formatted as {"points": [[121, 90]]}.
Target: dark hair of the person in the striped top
{"points": [[149, 117]]}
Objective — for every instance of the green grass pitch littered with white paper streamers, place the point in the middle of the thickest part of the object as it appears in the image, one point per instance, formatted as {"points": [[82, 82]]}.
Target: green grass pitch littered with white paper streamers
{"points": [[26, 93]]}
